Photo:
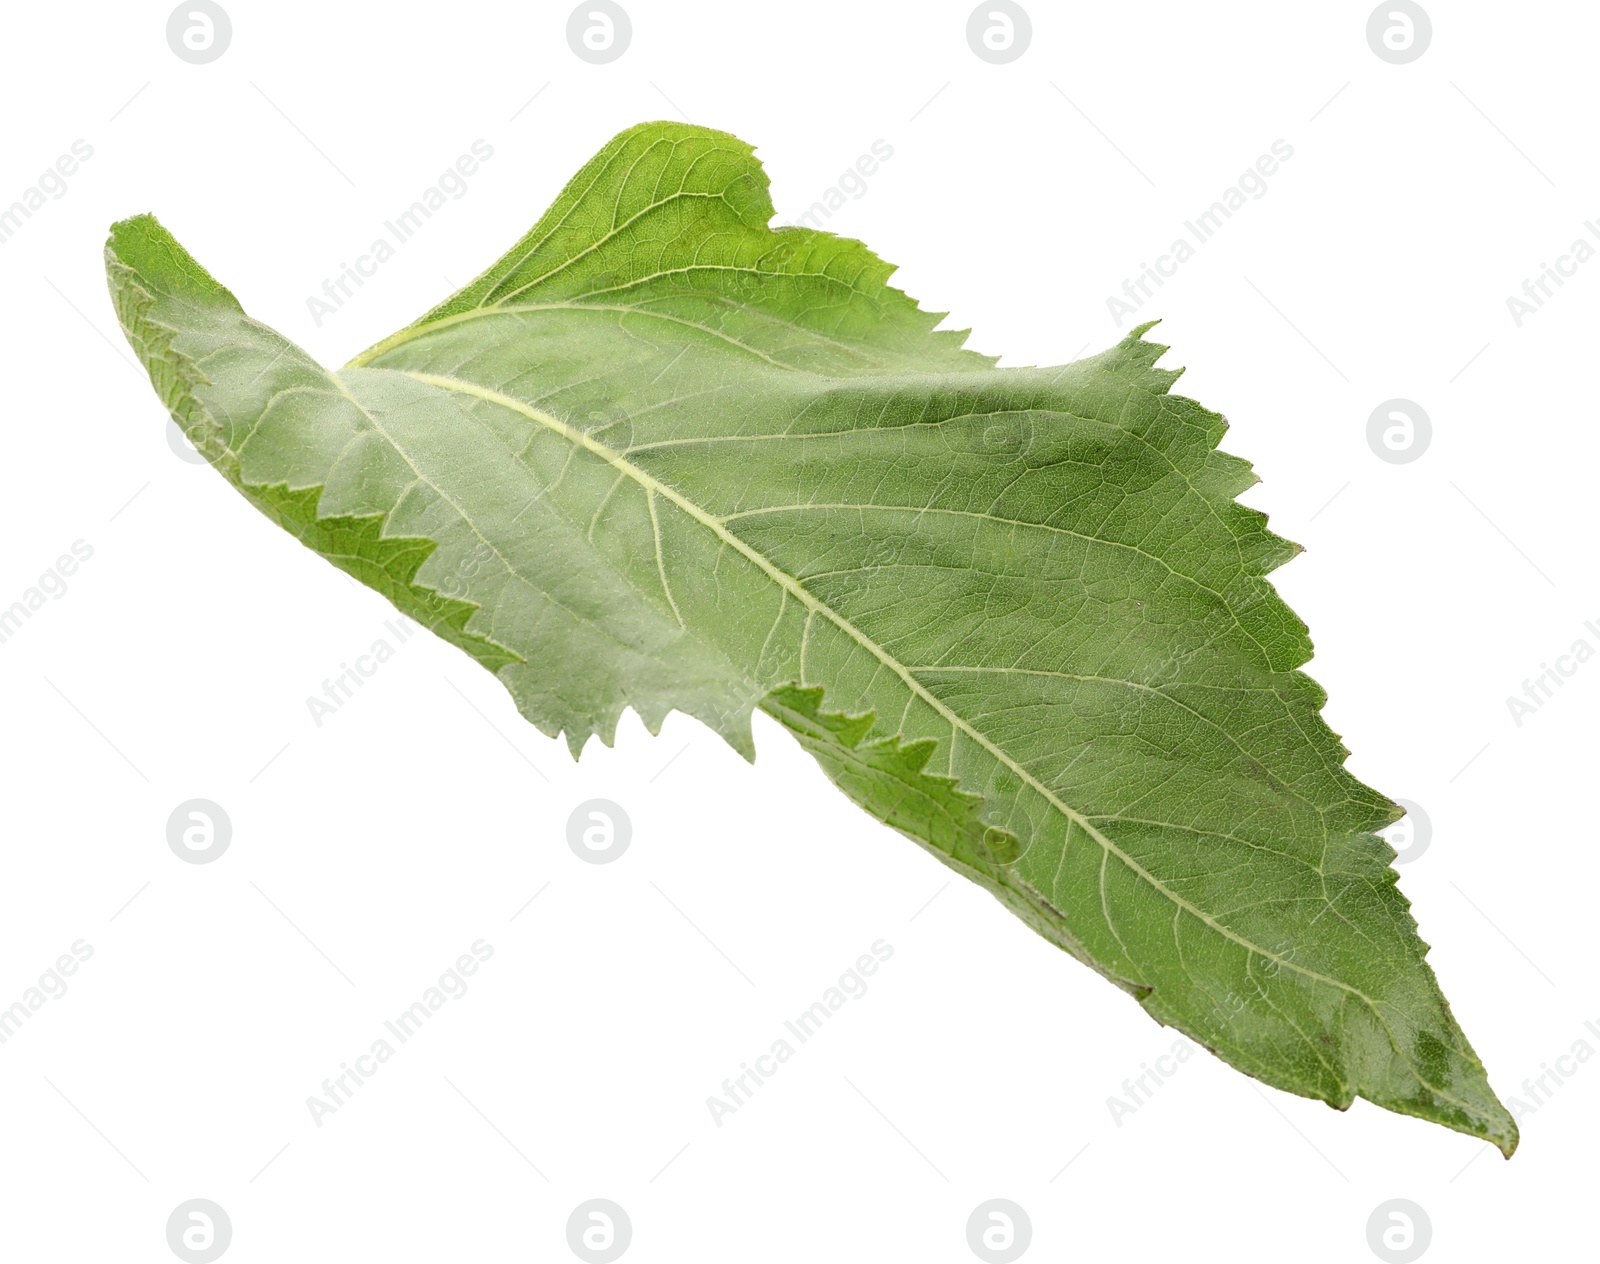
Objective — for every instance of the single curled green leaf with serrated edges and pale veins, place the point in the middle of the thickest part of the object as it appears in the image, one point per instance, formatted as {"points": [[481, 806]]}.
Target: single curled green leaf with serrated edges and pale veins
{"points": [[665, 457]]}
